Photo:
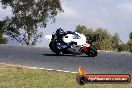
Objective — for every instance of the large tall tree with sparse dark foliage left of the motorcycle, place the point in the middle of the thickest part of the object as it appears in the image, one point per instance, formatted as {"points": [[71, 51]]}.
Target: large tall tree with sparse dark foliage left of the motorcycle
{"points": [[27, 16]]}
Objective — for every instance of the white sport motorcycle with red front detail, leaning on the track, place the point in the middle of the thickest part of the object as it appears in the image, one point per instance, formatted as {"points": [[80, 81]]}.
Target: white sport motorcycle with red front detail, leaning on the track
{"points": [[71, 43]]}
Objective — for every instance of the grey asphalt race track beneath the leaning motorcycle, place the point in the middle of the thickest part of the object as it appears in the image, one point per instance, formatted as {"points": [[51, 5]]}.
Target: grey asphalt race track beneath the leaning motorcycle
{"points": [[42, 57]]}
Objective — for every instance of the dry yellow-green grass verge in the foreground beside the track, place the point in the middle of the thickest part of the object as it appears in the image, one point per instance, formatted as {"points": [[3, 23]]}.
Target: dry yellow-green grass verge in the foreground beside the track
{"points": [[19, 77]]}
